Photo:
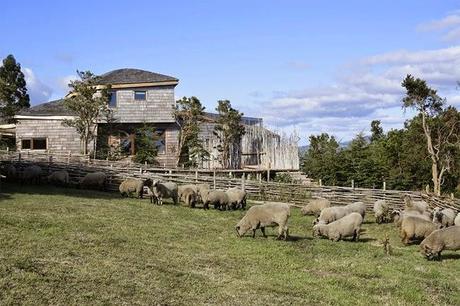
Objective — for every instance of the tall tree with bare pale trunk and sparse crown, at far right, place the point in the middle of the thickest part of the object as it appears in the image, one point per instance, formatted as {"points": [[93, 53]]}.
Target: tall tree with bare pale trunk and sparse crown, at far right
{"points": [[441, 127]]}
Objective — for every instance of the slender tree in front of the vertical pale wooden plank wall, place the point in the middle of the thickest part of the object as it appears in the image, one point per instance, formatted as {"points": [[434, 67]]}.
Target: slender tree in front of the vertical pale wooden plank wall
{"points": [[229, 131]]}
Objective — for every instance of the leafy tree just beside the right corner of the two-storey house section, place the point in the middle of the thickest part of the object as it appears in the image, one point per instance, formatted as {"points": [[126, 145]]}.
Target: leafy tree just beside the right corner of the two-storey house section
{"points": [[189, 114]]}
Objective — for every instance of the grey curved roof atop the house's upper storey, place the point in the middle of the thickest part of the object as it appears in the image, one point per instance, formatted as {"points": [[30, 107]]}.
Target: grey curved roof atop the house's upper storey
{"points": [[128, 76]]}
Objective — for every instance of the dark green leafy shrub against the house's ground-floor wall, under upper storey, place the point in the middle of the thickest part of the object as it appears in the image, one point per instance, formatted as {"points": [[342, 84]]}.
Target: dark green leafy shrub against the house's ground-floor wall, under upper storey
{"points": [[146, 145]]}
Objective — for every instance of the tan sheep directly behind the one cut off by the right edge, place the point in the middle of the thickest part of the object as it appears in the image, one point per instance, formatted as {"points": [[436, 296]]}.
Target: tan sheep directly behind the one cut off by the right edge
{"points": [[415, 228]]}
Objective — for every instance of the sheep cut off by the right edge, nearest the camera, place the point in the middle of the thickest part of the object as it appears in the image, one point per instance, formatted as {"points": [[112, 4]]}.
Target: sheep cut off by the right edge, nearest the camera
{"points": [[439, 240]]}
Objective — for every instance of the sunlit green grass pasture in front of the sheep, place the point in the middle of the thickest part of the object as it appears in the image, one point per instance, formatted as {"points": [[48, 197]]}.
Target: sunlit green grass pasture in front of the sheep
{"points": [[64, 246]]}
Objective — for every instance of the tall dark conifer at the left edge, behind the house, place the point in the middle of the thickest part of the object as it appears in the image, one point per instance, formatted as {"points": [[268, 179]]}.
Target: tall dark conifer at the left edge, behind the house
{"points": [[13, 91]]}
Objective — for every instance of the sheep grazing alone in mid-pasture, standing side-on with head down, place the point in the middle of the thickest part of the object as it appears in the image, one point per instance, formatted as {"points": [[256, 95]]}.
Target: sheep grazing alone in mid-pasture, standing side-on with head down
{"points": [[266, 215]]}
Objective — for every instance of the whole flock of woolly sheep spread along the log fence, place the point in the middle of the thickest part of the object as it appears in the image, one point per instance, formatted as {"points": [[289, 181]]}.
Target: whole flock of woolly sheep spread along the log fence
{"points": [[437, 229]]}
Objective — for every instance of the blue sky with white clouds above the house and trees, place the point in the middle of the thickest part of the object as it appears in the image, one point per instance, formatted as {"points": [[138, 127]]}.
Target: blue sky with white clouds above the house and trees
{"points": [[305, 67]]}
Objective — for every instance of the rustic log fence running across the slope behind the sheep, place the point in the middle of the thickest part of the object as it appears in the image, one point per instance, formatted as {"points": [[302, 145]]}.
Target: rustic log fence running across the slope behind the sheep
{"points": [[295, 194]]}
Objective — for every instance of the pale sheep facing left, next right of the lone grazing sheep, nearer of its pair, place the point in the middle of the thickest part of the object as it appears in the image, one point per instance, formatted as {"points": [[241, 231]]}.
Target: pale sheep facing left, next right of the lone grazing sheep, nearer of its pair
{"points": [[350, 225]]}
